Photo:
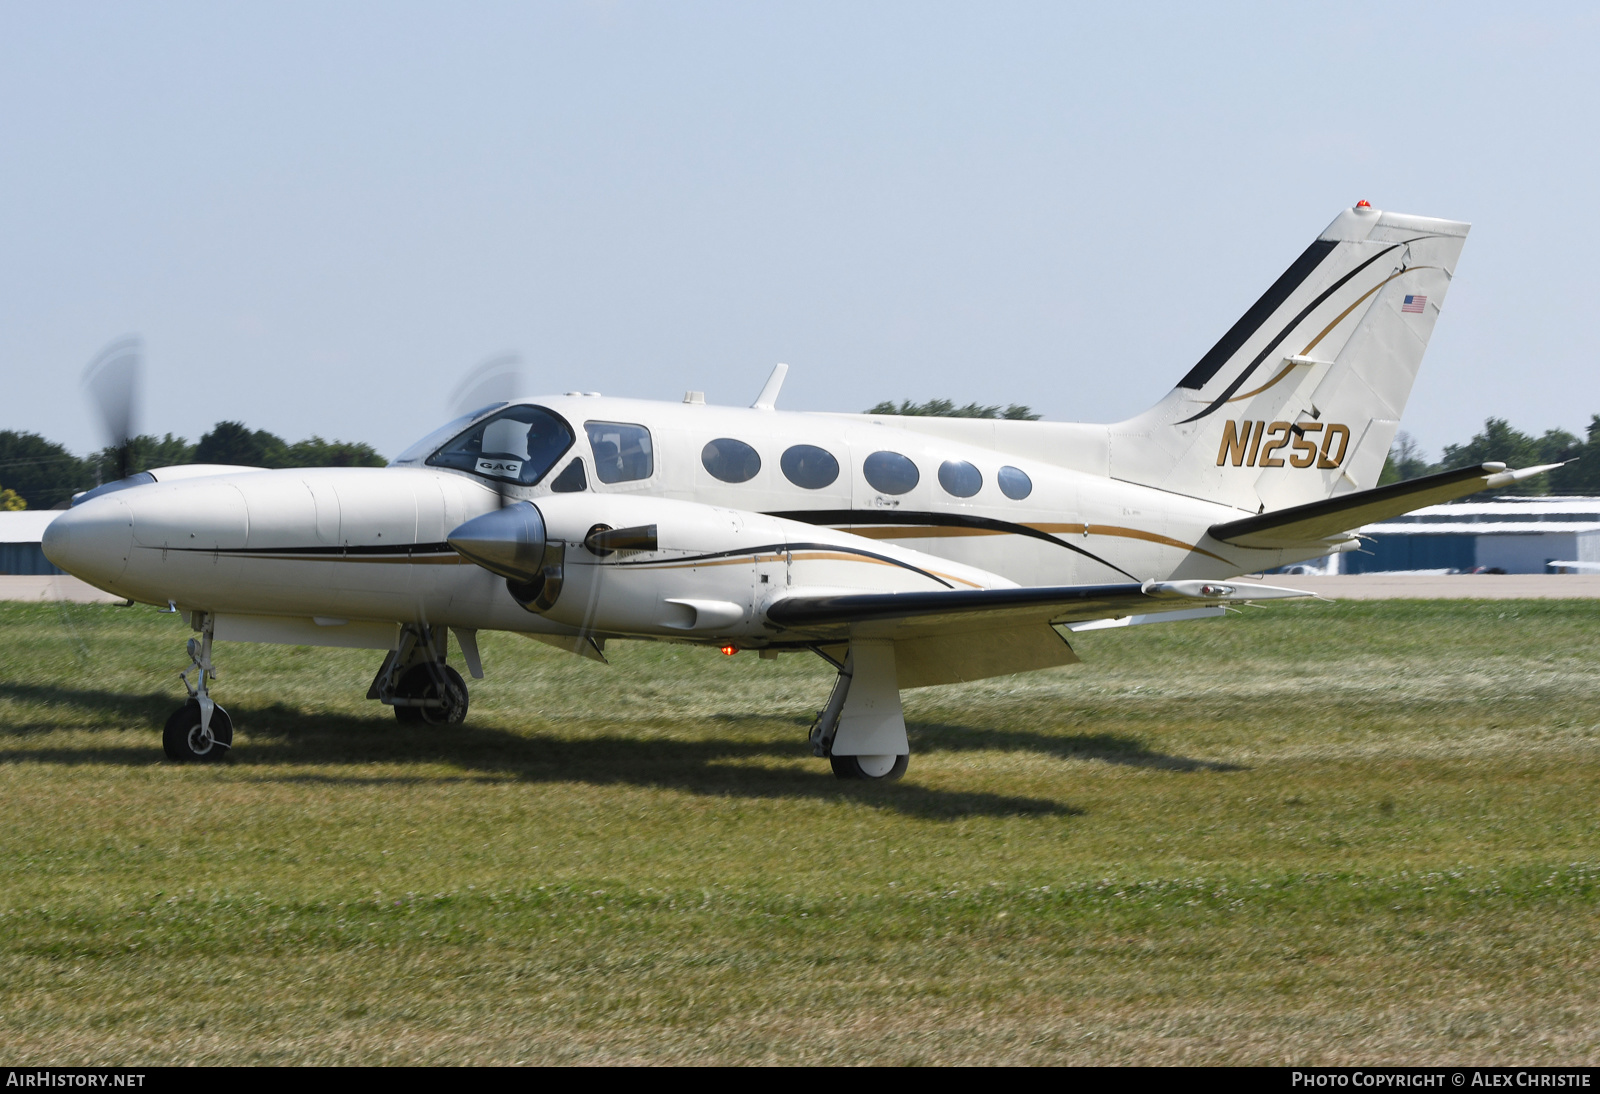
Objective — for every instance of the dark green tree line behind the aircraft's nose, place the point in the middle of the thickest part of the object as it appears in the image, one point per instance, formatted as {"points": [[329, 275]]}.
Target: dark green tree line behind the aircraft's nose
{"points": [[41, 474]]}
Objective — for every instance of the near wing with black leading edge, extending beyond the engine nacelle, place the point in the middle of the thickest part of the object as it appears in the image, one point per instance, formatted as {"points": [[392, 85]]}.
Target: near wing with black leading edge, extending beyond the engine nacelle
{"points": [[959, 610]]}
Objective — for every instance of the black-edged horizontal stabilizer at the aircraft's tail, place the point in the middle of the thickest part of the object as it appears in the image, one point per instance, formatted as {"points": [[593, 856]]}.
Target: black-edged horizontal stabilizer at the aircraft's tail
{"points": [[1335, 517]]}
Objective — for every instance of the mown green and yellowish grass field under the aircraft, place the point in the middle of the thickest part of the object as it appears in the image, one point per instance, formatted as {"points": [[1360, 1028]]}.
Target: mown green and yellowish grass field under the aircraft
{"points": [[1358, 832]]}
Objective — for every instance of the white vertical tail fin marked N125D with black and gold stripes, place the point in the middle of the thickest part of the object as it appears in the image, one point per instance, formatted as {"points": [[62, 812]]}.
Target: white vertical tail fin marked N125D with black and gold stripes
{"points": [[1303, 396]]}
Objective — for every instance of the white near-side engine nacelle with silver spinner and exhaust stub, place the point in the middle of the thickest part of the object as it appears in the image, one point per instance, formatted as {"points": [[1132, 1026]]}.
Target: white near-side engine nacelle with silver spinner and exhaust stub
{"points": [[626, 565]]}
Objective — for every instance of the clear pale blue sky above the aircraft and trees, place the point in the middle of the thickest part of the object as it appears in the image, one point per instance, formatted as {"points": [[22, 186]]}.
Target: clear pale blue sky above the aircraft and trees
{"points": [[321, 217]]}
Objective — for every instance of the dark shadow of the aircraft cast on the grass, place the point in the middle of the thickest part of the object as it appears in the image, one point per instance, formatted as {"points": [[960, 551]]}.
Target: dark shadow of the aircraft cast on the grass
{"points": [[279, 738]]}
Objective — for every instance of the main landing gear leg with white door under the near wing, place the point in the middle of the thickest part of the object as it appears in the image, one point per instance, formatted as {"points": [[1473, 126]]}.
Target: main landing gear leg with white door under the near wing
{"points": [[863, 729]]}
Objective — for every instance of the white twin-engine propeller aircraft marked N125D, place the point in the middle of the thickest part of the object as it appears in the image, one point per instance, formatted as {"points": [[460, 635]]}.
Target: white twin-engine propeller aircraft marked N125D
{"points": [[905, 551]]}
